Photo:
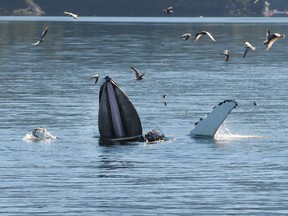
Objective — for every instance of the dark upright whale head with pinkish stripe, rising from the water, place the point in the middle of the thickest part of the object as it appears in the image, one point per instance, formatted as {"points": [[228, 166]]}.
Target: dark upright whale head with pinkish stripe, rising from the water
{"points": [[118, 119]]}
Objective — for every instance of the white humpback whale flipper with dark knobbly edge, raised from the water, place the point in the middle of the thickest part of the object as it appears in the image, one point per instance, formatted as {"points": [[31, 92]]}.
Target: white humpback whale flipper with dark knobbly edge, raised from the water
{"points": [[209, 126]]}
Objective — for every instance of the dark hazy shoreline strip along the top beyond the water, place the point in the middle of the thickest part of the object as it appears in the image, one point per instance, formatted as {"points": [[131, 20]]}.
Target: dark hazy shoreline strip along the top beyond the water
{"points": [[191, 8]]}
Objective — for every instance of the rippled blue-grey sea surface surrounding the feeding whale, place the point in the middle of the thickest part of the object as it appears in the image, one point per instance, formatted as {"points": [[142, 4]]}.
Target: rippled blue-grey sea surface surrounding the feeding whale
{"points": [[242, 171]]}
